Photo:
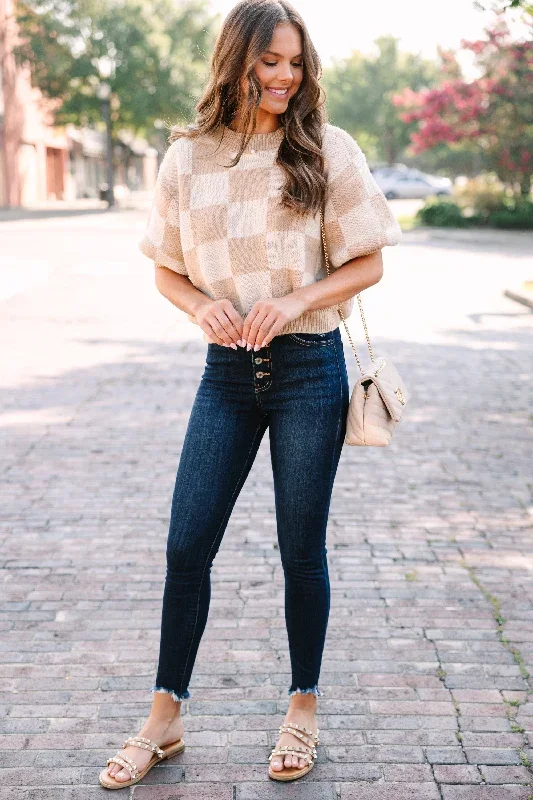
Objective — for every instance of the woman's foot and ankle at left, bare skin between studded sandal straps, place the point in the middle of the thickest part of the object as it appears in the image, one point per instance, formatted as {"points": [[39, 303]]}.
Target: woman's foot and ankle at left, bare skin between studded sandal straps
{"points": [[163, 726]]}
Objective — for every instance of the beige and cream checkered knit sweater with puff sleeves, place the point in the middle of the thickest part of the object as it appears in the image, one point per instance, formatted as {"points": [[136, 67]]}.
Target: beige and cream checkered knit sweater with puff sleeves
{"points": [[226, 230]]}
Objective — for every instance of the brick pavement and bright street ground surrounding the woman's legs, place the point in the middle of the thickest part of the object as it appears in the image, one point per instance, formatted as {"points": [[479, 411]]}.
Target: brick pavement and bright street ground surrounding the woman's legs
{"points": [[426, 674]]}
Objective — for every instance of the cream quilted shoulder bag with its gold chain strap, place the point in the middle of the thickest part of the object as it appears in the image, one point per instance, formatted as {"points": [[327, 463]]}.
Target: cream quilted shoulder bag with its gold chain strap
{"points": [[379, 396]]}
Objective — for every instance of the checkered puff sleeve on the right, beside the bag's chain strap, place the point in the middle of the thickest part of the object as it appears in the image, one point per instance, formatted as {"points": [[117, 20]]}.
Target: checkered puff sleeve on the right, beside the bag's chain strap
{"points": [[357, 217]]}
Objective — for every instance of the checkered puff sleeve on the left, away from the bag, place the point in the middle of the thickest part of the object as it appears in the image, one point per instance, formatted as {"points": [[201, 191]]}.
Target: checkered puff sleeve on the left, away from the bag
{"points": [[161, 240]]}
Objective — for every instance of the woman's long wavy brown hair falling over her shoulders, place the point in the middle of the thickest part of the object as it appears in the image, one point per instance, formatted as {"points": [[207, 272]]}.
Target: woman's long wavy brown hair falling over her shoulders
{"points": [[245, 35]]}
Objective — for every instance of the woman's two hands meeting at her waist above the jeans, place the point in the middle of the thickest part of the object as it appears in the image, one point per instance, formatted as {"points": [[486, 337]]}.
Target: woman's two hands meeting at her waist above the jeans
{"points": [[224, 325]]}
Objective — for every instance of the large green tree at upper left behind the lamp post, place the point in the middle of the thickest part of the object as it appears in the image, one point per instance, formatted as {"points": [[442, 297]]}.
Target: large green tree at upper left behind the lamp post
{"points": [[156, 49]]}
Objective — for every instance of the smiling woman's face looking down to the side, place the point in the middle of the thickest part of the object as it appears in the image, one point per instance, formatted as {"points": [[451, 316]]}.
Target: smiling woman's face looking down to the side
{"points": [[280, 68]]}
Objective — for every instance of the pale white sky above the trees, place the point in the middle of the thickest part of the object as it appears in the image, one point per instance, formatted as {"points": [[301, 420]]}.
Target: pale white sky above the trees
{"points": [[339, 26]]}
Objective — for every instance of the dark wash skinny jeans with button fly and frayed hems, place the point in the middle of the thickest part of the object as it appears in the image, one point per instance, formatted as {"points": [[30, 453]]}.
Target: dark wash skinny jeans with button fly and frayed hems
{"points": [[297, 386]]}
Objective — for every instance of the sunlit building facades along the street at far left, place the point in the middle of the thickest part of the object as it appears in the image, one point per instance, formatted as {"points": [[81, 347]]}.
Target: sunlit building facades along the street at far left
{"points": [[42, 163]]}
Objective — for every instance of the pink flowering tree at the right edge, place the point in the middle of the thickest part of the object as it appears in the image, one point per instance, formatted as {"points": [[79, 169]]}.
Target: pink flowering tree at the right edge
{"points": [[494, 111]]}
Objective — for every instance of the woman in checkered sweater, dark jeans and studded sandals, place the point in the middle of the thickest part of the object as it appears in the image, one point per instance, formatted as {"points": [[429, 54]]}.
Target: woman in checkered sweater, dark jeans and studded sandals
{"points": [[234, 233]]}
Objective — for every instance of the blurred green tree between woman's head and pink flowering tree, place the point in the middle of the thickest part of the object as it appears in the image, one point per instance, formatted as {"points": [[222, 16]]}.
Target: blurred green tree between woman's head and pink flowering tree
{"points": [[360, 91]]}
